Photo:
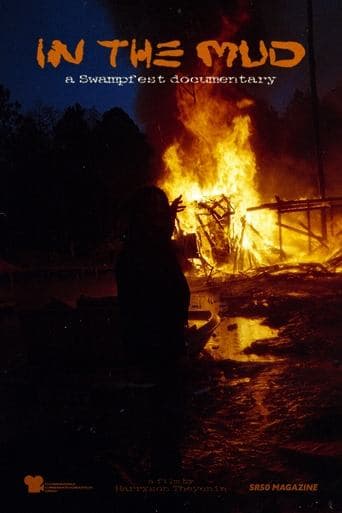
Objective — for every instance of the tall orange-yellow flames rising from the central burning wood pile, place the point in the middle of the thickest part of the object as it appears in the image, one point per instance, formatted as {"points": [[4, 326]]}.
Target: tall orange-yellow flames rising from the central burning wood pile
{"points": [[213, 166]]}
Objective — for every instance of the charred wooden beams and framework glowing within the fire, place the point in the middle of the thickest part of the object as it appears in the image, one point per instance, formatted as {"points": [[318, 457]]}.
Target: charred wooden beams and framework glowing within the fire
{"points": [[216, 232]]}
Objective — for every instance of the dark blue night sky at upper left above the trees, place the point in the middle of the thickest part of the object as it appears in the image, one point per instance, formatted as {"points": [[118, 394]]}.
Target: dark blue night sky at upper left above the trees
{"points": [[68, 20]]}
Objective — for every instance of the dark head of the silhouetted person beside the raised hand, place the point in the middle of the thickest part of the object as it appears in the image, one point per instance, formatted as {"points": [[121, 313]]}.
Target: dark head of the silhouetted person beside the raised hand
{"points": [[148, 215]]}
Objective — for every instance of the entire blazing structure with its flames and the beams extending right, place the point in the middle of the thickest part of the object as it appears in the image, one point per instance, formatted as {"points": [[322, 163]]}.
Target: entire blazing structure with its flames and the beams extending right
{"points": [[227, 225]]}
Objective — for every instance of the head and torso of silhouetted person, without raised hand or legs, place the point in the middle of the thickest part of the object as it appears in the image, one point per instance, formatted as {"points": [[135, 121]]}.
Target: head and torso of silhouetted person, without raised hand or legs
{"points": [[152, 290]]}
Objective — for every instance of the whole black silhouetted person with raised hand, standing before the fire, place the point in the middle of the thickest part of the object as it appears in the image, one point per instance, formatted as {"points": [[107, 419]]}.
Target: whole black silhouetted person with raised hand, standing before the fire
{"points": [[154, 299]]}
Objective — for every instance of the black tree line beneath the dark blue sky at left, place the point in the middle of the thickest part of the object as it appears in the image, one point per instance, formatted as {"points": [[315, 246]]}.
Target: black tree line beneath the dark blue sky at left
{"points": [[63, 175]]}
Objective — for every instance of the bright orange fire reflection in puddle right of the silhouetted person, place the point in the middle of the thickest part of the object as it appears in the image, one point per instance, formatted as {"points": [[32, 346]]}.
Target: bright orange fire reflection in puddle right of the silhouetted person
{"points": [[235, 334]]}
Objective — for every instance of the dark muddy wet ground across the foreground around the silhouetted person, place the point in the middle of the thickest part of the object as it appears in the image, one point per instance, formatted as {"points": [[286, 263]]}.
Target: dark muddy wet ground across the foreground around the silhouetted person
{"points": [[260, 406]]}
